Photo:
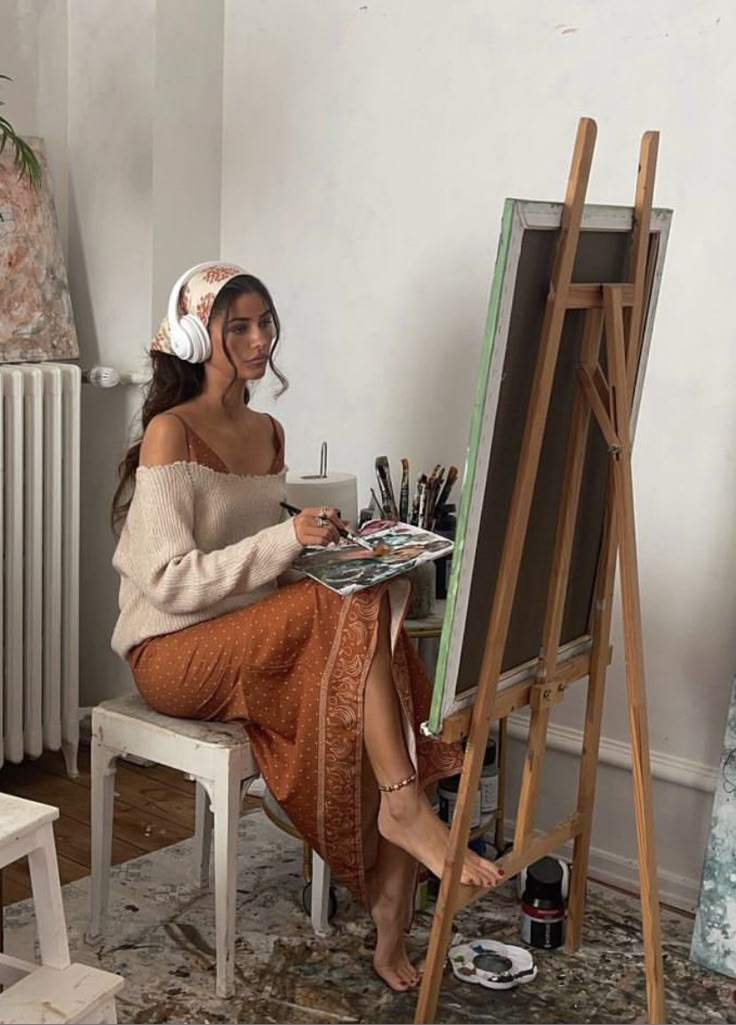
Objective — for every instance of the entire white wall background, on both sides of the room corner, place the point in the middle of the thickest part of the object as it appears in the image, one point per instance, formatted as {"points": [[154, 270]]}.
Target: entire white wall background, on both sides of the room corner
{"points": [[365, 150]]}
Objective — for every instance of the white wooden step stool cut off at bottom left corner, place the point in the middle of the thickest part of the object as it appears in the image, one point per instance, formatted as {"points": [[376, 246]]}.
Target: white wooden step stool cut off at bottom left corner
{"points": [[56, 991]]}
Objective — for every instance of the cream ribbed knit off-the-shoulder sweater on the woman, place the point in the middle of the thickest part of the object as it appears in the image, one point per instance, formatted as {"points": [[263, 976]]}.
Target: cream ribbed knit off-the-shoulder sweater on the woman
{"points": [[197, 544]]}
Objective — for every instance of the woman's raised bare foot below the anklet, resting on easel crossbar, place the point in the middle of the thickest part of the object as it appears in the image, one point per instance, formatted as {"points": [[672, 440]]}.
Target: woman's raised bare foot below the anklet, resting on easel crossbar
{"points": [[406, 818]]}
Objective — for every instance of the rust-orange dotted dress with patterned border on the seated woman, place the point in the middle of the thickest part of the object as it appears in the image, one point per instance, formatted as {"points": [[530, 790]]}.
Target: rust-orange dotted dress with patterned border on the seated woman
{"points": [[292, 668]]}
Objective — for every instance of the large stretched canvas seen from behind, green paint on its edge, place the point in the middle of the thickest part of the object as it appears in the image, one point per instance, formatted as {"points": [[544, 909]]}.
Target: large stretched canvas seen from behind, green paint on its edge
{"points": [[526, 252]]}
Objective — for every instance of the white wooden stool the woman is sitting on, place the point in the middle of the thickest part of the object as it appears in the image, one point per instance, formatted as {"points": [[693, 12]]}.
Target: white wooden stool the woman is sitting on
{"points": [[219, 758]]}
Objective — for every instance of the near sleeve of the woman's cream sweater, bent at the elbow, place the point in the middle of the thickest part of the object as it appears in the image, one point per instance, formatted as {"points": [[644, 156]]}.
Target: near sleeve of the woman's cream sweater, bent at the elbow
{"points": [[162, 557]]}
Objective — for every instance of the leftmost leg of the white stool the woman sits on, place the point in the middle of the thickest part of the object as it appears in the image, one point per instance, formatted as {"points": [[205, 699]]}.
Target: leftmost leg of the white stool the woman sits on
{"points": [[102, 799]]}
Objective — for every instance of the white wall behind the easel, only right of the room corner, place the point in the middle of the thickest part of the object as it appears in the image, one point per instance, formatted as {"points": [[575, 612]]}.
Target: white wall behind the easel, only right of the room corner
{"points": [[367, 151]]}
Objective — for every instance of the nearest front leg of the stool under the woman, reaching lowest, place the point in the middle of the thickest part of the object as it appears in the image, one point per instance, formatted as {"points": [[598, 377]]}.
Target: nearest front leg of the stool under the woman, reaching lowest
{"points": [[226, 808]]}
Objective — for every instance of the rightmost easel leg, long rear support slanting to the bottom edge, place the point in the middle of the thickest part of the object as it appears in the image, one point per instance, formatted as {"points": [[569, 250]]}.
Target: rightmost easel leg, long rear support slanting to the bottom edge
{"points": [[634, 650]]}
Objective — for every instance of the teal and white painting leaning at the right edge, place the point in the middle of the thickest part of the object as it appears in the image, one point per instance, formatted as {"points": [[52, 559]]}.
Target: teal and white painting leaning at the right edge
{"points": [[714, 944]]}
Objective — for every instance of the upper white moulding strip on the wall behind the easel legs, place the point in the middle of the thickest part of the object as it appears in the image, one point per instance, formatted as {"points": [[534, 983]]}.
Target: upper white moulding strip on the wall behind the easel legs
{"points": [[683, 772]]}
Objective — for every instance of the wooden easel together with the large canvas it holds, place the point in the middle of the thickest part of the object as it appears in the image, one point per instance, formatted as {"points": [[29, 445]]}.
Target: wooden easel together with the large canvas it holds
{"points": [[547, 516]]}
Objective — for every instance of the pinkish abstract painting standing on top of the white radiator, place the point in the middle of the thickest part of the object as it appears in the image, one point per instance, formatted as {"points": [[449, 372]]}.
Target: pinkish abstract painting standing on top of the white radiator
{"points": [[36, 319]]}
